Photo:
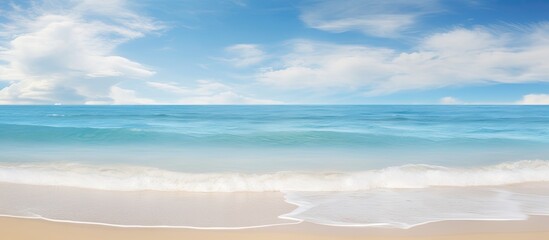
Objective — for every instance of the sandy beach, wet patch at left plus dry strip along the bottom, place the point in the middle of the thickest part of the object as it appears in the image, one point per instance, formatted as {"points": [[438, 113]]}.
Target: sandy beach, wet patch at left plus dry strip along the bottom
{"points": [[207, 210]]}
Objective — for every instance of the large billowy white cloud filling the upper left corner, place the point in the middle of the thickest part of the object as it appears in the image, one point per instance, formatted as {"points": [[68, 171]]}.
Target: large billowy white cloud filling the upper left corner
{"points": [[63, 51]]}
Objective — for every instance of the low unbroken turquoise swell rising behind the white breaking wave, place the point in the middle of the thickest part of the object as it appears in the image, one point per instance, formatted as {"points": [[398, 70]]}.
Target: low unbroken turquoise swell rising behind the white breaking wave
{"points": [[14, 133]]}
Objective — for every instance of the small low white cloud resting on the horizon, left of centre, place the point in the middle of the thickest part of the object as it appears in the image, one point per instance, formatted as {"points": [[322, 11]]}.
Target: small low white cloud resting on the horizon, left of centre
{"points": [[206, 92]]}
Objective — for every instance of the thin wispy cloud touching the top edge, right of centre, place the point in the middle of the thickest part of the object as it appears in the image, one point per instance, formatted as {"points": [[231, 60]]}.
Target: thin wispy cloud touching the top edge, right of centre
{"points": [[377, 18]]}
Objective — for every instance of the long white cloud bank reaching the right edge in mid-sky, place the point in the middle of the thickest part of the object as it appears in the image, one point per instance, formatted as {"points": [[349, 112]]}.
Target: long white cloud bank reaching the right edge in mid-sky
{"points": [[457, 57]]}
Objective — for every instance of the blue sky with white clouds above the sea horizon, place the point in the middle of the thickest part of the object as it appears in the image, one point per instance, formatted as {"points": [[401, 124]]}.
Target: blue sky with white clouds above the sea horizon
{"points": [[274, 52]]}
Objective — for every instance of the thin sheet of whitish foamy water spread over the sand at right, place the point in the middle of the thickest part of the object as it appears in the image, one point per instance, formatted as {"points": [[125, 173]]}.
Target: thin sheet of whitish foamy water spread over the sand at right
{"points": [[406, 208]]}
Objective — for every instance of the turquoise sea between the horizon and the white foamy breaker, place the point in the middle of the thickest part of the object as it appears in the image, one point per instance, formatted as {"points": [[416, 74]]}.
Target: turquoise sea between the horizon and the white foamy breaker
{"points": [[274, 138]]}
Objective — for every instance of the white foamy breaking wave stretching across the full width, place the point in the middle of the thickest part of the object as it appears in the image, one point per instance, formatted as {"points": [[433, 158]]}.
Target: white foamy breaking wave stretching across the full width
{"points": [[134, 178]]}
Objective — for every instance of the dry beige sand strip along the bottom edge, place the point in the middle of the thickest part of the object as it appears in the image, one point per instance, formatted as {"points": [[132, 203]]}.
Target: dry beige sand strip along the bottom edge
{"points": [[532, 229]]}
